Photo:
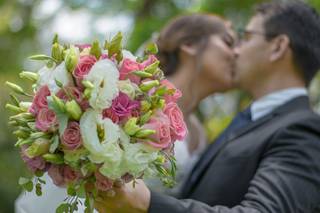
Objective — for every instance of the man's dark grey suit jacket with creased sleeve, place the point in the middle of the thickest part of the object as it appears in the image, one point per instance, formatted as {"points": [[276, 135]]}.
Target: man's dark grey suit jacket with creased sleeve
{"points": [[271, 165]]}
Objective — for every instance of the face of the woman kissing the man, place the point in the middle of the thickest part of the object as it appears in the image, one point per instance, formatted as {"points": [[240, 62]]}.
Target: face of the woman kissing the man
{"points": [[217, 62]]}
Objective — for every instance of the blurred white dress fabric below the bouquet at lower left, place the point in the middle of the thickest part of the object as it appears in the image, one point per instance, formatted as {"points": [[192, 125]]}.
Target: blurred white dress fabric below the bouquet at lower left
{"points": [[52, 197]]}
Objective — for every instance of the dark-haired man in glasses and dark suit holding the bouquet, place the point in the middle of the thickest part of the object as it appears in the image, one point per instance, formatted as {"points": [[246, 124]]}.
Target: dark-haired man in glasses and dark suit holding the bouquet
{"points": [[268, 159]]}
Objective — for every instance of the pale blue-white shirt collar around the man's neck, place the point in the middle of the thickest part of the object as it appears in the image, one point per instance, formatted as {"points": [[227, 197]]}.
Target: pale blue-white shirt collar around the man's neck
{"points": [[268, 103]]}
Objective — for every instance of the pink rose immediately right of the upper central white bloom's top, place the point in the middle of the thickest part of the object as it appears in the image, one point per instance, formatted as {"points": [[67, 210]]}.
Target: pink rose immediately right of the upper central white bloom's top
{"points": [[127, 67]]}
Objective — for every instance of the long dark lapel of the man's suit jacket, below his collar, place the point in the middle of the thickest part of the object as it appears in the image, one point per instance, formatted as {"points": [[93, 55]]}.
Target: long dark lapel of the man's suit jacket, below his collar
{"points": [[193, 180]]}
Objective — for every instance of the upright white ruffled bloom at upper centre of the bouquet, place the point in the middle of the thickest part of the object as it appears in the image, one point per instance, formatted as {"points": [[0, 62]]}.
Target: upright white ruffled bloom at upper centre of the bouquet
{"points": [[104, 76]]}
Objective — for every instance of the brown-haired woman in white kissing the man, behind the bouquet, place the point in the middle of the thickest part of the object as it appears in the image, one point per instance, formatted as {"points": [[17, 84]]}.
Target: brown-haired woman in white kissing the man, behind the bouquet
{"points": [[195, 53]]}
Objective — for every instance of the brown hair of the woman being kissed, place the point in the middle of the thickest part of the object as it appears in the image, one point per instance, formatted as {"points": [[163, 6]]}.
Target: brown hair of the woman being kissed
{"points": [[187, 29]]}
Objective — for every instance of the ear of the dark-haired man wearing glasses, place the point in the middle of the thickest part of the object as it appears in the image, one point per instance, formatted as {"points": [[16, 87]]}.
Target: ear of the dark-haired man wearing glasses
{"points": [[279, 47]]}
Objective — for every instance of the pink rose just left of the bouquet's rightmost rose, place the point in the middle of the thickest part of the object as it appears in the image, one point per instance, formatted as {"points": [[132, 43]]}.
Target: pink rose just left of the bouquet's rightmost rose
{"points": [[161, 124]]}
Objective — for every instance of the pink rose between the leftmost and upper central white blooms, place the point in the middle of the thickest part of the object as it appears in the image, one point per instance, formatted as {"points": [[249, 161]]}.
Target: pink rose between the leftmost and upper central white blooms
{"points": [[83, 68]]}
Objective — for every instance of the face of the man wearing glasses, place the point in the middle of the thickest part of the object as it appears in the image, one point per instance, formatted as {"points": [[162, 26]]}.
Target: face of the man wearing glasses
{"points": [[252, 55]]}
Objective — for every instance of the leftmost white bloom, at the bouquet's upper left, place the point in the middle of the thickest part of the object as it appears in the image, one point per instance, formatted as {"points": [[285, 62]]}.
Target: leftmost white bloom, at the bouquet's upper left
{"points": [[47, 76]]}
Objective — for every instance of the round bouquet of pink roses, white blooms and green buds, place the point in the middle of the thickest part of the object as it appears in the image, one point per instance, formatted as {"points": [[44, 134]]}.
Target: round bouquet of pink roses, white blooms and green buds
{"points": [[98, 116]]}
